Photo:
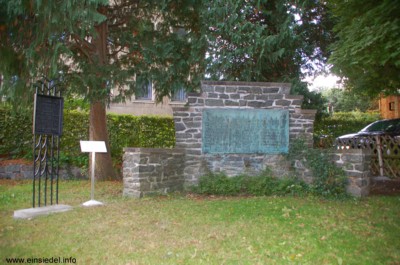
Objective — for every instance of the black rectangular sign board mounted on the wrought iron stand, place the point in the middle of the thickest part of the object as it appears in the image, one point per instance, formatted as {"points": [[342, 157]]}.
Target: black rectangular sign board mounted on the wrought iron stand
{"points": [[48, 115]]}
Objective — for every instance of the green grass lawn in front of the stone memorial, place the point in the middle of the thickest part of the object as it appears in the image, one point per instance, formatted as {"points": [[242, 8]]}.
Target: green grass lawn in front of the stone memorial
{"points": [[189, 229]]}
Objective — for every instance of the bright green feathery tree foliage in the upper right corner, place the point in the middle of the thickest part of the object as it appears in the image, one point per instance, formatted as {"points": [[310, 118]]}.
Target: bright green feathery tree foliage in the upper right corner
{"points": [[366, 52]]}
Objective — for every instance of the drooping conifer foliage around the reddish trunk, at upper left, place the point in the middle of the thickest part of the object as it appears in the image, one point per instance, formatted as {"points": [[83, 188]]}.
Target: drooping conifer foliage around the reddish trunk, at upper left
{"points": [[94, 45]]}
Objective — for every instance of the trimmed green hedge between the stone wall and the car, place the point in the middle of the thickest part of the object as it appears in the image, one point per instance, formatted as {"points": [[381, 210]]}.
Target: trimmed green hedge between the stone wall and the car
{"points": [[328, 128]]}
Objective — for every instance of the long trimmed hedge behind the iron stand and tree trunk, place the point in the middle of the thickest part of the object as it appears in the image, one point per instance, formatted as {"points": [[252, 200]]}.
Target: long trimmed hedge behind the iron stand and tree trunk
{"points": [[124, 131]]}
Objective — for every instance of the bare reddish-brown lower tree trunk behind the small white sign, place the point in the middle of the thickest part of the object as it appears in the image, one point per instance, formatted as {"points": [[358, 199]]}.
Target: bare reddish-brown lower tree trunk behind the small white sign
{"points": [[98, 132]]}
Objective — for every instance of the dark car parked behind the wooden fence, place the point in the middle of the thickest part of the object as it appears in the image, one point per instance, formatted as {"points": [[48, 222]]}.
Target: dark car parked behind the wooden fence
{"points": [[389, 127]]}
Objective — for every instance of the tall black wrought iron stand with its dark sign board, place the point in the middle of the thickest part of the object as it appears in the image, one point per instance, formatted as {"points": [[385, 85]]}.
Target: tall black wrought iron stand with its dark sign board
{"points": [[46, 149]]}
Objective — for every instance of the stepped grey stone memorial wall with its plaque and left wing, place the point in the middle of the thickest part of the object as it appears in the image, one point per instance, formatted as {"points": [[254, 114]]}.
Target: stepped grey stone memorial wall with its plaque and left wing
{"points": [[230, 127]]}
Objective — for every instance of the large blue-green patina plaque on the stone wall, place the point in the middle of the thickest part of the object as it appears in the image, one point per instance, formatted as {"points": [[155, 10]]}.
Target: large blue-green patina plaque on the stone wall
{"points": [[245, 131]]}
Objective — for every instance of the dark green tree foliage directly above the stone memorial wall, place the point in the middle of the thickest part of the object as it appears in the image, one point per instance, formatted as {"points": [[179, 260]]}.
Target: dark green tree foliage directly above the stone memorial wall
{"points": [[266, 40]]}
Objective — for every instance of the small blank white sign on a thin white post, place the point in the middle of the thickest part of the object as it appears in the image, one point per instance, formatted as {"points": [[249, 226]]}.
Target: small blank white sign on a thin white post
{"points": [[93, 147]]}
